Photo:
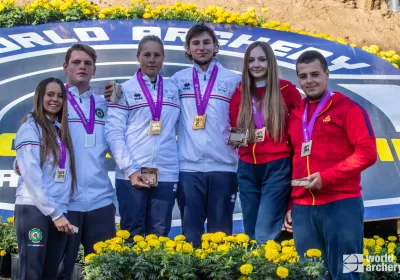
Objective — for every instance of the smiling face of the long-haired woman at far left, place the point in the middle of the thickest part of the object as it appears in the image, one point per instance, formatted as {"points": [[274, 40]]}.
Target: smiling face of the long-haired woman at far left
{"points": [[52, 100]]}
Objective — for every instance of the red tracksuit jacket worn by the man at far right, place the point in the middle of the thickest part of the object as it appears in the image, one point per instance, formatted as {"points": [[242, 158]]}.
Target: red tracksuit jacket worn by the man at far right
{"points": [[343, 145]]}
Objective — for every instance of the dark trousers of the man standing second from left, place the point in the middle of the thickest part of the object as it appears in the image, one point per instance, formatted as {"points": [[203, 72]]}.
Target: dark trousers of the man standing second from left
{"points": [[94, 226]]}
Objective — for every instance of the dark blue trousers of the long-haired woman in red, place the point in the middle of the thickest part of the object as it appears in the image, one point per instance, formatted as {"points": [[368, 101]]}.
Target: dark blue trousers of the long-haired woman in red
{"points": [[264, 196]]}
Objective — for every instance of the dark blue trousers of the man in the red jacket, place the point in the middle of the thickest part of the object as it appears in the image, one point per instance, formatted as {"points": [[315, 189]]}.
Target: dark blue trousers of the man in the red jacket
{"points": [[336, 229]]}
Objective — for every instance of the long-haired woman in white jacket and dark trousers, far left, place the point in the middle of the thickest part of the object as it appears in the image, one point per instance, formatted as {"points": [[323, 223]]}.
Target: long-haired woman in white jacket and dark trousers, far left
{"points": [[46, 162]]}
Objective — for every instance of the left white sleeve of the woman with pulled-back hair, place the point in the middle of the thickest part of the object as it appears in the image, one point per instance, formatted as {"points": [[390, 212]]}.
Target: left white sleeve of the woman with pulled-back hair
{"points": [[116, 125]]}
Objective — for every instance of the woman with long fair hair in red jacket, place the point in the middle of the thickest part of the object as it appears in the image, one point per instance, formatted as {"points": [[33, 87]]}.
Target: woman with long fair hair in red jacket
{"points": [[261, 105]]}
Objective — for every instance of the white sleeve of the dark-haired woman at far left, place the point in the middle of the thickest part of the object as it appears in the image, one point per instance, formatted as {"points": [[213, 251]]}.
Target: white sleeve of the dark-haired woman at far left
{"points": [[27, 144]]}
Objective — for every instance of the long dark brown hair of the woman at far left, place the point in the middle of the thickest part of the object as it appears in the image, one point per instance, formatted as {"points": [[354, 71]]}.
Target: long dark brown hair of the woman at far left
{"points": [[48, 137]]}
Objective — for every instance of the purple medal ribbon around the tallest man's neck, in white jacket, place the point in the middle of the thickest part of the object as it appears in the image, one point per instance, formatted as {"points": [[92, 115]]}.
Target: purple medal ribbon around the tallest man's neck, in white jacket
{"points": [[201, 104]]}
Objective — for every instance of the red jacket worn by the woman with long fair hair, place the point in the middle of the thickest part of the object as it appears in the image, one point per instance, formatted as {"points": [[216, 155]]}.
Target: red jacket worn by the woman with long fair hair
{"points": [[267, 151]]}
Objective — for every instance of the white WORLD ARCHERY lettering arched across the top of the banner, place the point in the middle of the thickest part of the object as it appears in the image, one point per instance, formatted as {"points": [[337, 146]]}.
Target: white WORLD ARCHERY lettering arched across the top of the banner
{"points": [[176, 35]]}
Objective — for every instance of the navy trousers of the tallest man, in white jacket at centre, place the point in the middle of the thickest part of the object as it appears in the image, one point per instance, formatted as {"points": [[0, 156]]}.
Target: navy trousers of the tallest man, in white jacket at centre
{"points": [[207, 195]]}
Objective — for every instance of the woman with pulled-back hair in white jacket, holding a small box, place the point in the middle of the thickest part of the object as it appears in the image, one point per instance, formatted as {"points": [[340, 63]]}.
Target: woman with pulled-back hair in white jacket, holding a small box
{"points": [[140, 130]]}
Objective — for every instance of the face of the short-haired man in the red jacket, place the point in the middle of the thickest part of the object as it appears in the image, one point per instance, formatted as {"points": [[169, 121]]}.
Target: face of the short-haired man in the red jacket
{"points": [[313, 79]]}
